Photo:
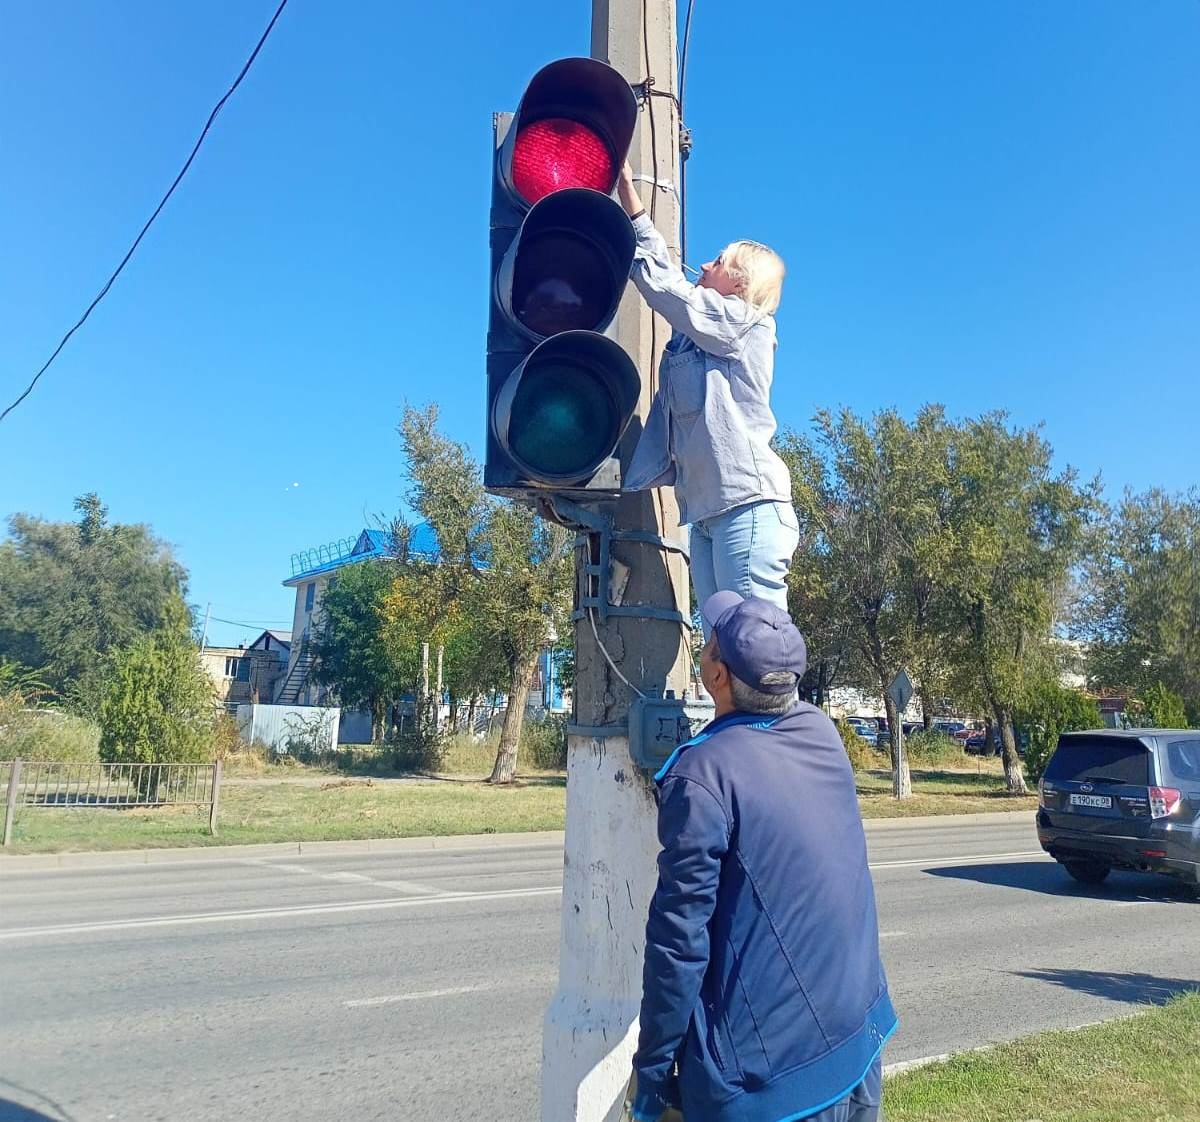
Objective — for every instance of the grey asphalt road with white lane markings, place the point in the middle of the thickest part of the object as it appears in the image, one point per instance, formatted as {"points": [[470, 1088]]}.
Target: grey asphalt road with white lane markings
{"points": [[411, 986]]}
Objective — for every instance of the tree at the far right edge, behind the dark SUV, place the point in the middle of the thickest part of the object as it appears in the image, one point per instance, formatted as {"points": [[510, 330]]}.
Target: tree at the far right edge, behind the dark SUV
{"points": [[1139, 613]]}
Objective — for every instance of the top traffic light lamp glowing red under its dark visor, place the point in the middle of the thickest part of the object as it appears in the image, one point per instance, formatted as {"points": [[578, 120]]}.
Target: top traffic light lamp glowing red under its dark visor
{"points": [[573, 130]]}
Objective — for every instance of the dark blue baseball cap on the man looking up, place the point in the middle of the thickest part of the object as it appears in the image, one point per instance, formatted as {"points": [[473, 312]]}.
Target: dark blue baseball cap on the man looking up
{"points": [[757, 639]]}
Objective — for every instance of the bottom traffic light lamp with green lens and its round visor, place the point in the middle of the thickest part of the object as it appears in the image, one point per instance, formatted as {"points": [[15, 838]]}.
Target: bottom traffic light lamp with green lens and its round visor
{"points": [[563, 411]]}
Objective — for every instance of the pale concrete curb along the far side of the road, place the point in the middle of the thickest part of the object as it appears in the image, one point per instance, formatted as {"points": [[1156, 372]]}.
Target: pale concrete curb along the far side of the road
{"points": [[202, 855]]}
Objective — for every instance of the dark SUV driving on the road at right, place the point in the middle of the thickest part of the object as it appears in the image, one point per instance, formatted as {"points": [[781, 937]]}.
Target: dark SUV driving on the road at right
{"points": [[1125, 800]]}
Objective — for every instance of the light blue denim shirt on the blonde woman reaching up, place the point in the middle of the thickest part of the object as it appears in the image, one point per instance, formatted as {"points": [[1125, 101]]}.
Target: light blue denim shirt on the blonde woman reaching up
{"points": [[710, 427]]}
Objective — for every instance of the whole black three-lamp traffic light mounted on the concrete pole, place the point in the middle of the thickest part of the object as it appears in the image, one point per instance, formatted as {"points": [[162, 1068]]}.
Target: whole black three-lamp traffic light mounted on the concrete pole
{"points": [[560, 392]]}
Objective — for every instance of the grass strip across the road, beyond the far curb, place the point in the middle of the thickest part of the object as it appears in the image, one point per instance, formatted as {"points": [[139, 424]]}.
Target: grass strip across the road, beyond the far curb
{"points": [[302, 805]]}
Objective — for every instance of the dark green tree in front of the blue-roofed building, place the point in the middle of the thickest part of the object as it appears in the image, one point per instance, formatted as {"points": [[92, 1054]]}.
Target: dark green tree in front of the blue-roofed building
{"points": [[352, 652]]}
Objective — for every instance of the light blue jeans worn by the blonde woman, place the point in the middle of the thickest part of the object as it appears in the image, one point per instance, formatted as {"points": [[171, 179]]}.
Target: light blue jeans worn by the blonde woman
{"points": [[747, 550]]}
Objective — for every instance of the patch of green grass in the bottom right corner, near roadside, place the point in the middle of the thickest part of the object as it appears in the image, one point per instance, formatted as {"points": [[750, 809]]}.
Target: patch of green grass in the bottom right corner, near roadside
{"points": [[1145, 1069]]}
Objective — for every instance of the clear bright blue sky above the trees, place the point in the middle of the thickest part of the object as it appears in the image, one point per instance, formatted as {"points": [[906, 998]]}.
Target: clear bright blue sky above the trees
{"points": [[989, 206]]}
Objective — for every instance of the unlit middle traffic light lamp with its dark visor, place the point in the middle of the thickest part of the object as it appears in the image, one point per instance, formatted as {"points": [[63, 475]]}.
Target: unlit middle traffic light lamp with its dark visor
{"points": [[568, 266]]}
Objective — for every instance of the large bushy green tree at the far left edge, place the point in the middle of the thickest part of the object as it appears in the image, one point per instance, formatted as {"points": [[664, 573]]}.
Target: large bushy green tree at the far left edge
{"points": [[73, 593]]}
